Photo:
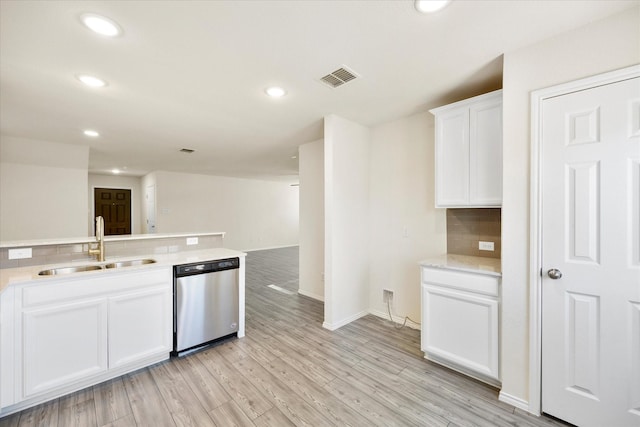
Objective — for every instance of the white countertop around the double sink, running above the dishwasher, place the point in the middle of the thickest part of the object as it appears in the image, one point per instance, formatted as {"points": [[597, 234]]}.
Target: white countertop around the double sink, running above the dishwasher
{"points": [[13, 276]]}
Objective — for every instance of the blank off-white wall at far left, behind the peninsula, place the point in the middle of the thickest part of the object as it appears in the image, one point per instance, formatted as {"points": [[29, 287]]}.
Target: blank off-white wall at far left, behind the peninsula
{"points": [[43, 189]]}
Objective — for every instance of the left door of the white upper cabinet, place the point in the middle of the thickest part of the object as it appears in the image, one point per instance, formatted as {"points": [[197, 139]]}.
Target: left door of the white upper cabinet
{"points": [[452, 158]]}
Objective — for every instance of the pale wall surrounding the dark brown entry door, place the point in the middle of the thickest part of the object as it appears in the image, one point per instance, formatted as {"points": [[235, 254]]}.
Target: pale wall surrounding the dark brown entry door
{"points": [[117, 181]]}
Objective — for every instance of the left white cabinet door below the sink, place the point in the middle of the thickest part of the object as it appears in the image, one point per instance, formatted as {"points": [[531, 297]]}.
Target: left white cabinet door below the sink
{"points": [[63, 344]]}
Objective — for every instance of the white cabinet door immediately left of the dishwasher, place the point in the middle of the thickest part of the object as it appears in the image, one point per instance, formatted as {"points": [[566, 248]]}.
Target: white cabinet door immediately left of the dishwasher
{"points": [[140, 325]]}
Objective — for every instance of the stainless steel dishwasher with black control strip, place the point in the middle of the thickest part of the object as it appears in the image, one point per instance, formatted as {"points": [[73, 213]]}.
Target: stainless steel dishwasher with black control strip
{"points": [[205, 303]]}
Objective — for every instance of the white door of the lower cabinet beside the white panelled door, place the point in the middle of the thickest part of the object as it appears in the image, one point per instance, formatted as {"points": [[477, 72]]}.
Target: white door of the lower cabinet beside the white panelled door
{"points": [[461, 328]]}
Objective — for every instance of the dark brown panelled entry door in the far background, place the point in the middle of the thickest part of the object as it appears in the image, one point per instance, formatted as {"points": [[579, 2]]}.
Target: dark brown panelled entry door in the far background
{"points": [[114, 205]]}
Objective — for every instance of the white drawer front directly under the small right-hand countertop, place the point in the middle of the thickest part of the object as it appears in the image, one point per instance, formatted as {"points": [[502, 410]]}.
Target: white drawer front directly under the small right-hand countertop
{"points": [[470, 282]]}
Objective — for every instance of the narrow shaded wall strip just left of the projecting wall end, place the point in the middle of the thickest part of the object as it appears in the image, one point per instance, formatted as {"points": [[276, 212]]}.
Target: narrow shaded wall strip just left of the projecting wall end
{"points": [[311, 254]]}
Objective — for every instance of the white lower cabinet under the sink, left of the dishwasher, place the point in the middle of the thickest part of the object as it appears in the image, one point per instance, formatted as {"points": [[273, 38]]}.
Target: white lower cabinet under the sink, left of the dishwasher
{"points": [[73, 332]]}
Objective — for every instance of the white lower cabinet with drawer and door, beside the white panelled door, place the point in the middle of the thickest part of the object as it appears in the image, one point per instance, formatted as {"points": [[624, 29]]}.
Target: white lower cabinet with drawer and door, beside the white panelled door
{"points": [[460, 322]]}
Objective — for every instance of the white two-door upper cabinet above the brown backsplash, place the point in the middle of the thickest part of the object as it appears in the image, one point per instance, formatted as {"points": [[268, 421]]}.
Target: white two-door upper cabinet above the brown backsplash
{"points": [[469, 152]]}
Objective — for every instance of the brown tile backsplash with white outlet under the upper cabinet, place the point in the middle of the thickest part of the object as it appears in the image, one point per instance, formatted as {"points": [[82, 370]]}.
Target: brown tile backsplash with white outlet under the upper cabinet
{"points": [[467, 227]]}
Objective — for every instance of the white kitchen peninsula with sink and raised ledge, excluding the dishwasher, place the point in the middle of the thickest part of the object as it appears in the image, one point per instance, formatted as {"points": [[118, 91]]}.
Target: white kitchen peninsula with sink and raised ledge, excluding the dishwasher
{"points": [[63, 332]]}
